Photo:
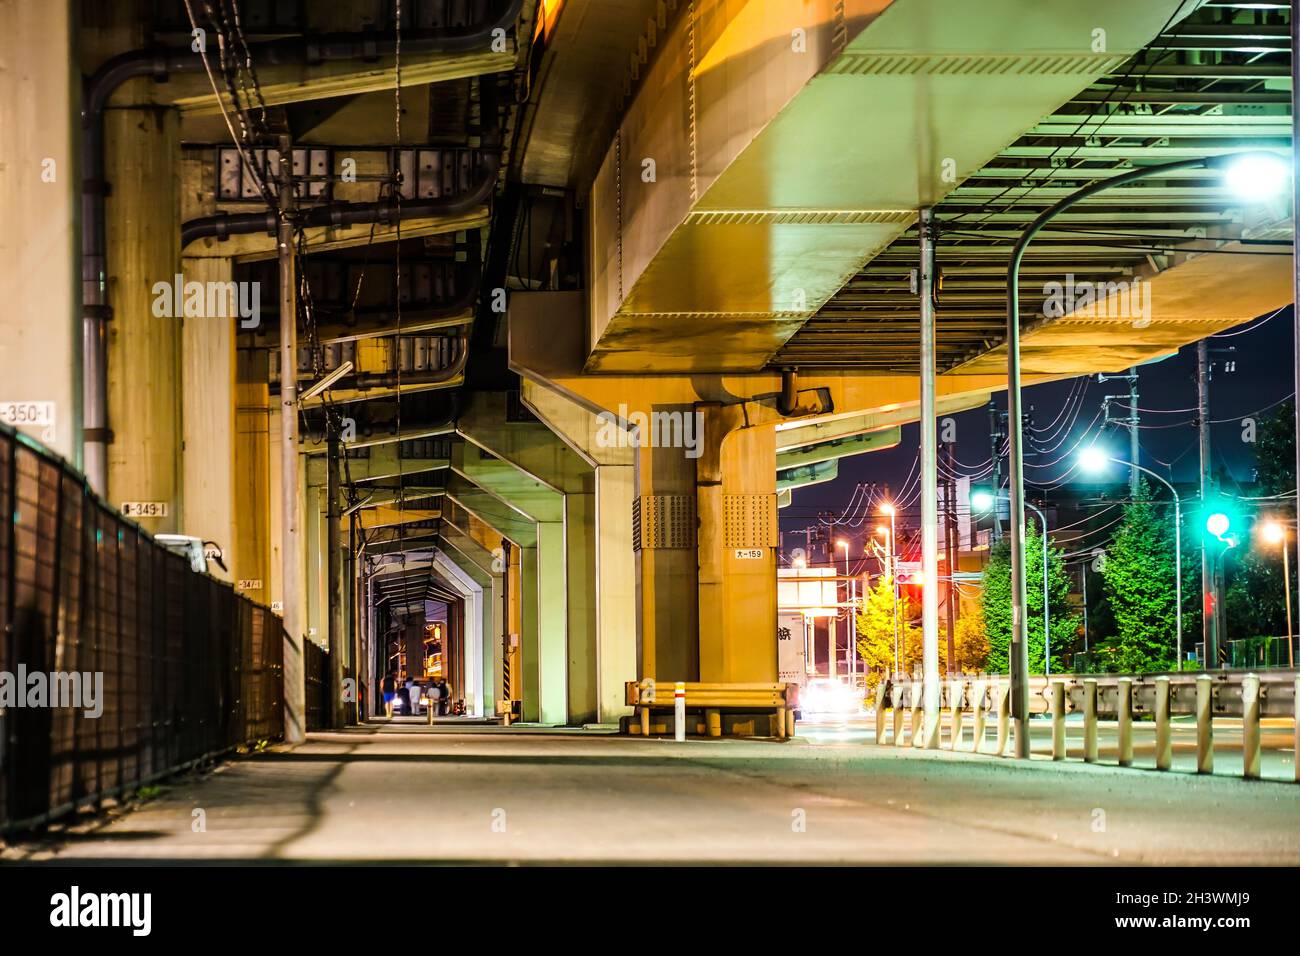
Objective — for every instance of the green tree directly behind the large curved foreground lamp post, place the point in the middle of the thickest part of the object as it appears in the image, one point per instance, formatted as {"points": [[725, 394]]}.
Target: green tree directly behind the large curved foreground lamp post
{"points": [[996, 605]]}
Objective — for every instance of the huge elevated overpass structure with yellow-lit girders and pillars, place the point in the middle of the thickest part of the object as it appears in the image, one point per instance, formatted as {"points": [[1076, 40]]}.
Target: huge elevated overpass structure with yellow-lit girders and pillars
{"points": [[552, 226]]}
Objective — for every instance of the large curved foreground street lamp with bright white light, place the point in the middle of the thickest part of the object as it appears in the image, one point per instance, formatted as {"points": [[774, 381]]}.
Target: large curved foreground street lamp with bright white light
{"points": [[1249, 174]]}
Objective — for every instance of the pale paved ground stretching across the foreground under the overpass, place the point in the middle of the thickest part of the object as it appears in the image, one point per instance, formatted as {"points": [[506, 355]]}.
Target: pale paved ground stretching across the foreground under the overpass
{"points": [[409, 794]]}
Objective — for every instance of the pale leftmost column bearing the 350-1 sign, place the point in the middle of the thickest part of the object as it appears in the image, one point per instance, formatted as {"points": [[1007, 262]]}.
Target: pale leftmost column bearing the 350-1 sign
{"points": [[41, 335]]}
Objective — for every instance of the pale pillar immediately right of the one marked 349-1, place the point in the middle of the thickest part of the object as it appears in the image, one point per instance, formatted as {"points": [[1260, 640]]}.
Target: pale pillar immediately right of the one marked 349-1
{"points": [[209, 416]]}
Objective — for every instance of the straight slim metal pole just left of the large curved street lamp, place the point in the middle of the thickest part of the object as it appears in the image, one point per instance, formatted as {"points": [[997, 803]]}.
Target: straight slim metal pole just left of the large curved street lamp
{"points": [[929, 483]]}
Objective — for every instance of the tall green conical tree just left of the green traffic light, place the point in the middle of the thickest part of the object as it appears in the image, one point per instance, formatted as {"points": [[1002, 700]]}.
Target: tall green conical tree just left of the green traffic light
{"points": [[1139, 585]]}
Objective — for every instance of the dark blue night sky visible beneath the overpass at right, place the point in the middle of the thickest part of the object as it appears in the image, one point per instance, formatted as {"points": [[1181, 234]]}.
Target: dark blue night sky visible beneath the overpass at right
{"points": [[1264, 377]]}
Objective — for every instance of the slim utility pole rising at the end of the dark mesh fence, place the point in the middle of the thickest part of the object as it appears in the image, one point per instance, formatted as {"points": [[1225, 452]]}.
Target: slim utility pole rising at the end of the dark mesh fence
{"points": [[292, 543]]}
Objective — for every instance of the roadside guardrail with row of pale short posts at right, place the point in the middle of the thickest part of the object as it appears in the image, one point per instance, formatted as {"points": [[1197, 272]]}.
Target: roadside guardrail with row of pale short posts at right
{"points": [[1206, 695]]}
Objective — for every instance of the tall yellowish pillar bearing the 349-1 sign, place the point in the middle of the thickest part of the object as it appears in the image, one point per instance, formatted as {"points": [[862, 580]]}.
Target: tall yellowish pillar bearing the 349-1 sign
{"points": [[142, 150]]}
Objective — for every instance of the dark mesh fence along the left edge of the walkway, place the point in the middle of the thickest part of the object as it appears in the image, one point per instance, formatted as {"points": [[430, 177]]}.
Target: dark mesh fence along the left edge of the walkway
{"points": [[190, 669]]}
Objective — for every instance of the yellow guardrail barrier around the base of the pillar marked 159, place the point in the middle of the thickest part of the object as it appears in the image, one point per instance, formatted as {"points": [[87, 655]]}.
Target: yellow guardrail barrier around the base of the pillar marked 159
{"points": [[713, 710]]}
